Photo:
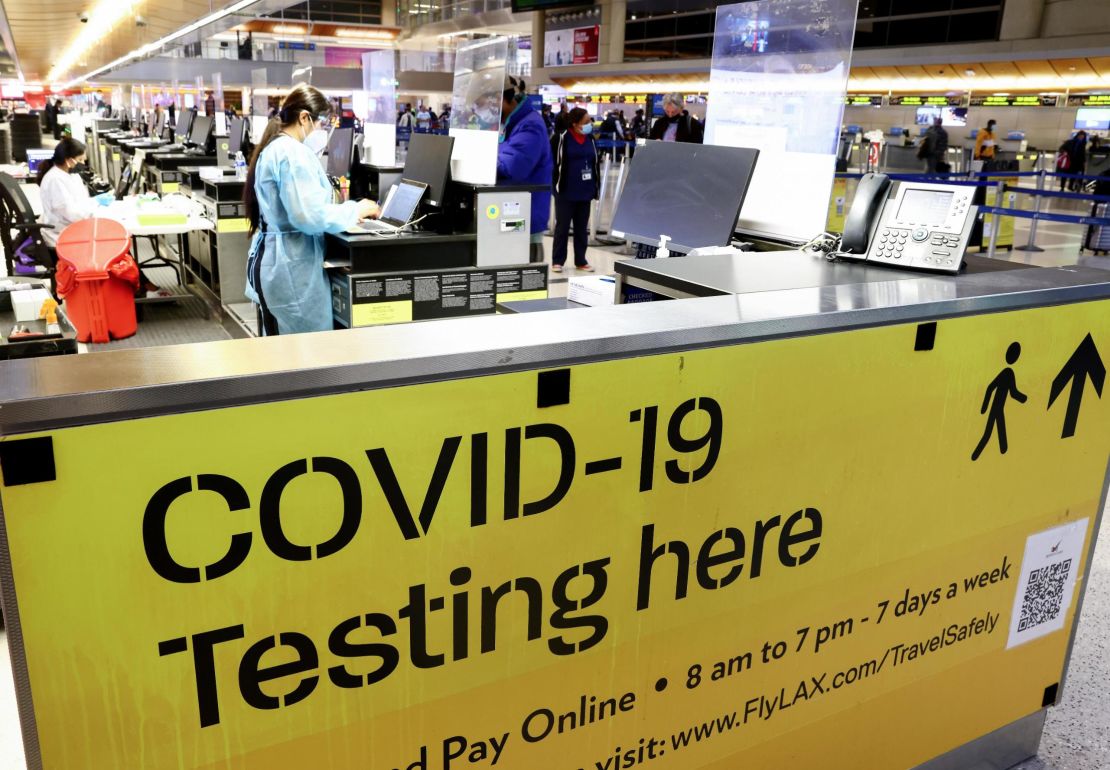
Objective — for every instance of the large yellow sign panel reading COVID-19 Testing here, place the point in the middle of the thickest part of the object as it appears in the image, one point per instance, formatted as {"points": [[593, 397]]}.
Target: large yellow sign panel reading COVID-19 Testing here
{"points": [[688, 561]]}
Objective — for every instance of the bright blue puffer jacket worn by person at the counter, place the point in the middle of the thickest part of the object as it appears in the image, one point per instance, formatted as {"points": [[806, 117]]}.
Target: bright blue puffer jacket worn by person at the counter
{"points": [[524, 157]]}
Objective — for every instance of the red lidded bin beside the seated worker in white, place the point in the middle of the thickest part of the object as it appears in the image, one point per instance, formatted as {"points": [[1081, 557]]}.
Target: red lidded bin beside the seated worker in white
{"points": [[98, 280]]}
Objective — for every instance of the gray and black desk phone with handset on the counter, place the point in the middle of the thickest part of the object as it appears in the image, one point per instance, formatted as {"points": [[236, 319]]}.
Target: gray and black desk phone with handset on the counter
{"points": [[924, 227]]}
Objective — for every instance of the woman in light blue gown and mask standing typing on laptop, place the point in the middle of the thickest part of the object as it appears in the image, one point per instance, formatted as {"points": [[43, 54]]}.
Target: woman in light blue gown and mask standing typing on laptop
{"points": [[290, 206]]}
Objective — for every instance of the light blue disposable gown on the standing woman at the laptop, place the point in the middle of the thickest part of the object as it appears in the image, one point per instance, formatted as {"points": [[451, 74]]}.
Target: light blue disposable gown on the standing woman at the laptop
{"points": [[297, 205]]}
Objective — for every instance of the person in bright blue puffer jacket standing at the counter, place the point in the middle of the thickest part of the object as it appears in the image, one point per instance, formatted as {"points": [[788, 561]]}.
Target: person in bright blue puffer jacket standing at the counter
{"points": [[524, 157]]}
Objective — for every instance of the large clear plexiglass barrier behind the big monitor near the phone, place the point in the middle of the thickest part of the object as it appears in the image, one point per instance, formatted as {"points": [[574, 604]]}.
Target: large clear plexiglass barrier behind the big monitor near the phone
{"points": [[778, 83]]}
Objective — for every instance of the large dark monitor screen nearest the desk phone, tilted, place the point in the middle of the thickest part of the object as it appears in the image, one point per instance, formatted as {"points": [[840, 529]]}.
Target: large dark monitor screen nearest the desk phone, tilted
{"points": [[692, 194]]}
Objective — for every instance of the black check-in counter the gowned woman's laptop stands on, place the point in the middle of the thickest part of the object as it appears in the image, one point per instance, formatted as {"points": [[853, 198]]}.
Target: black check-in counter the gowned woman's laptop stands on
{"points": [[465, 251]]}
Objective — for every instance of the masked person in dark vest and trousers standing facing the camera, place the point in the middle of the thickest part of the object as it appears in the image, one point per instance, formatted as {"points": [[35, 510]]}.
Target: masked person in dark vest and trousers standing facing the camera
{"points": [[576, 184]]}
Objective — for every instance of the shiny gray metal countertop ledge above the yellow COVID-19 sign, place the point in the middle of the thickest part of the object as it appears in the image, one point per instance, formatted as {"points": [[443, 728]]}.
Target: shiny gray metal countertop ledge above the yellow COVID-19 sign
{"points": [[48, 393]]}
